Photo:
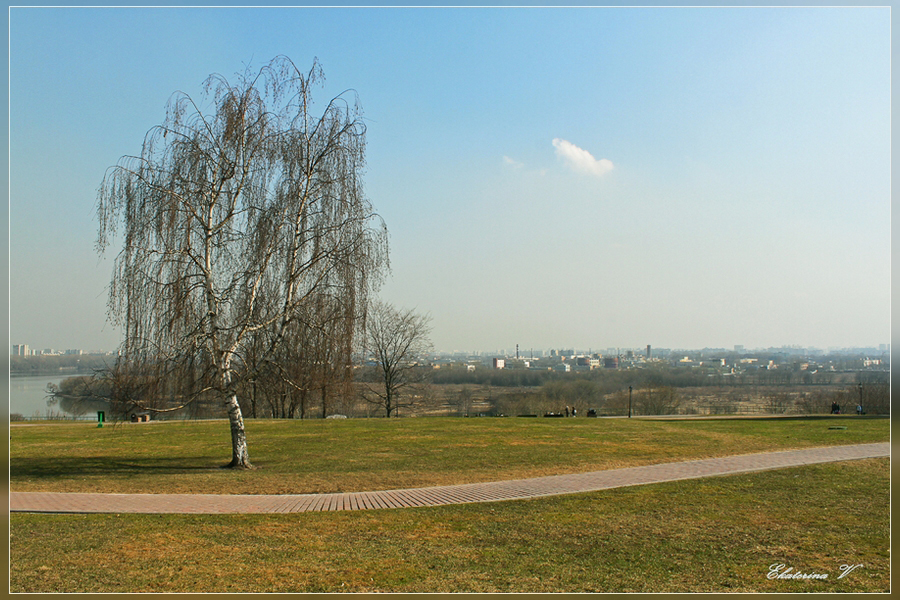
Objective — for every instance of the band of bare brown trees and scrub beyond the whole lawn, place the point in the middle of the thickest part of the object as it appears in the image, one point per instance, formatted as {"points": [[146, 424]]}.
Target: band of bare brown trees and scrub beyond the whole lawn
{"points": [[308, 384]]}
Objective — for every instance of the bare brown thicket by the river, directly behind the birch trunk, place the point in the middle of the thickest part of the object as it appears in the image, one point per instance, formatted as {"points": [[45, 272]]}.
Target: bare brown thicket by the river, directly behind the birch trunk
{"points": [[309, 376]]}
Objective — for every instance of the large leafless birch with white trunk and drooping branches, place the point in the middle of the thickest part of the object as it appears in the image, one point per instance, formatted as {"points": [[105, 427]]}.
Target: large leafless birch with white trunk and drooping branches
{"points": [[239, 211]]}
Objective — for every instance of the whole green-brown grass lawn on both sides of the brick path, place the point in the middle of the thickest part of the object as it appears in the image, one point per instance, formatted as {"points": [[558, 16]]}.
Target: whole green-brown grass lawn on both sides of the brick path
{"points": [[717, 534]]}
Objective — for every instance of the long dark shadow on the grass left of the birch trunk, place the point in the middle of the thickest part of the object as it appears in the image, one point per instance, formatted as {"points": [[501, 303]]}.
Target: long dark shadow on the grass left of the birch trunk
{"points": [[56, 468]]}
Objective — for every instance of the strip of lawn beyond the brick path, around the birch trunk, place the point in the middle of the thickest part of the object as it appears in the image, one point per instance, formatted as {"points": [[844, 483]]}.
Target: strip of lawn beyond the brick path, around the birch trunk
{"points": [[369, 454]]}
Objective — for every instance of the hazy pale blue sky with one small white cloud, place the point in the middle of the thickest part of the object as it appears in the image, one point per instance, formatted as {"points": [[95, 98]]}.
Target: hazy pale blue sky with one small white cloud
{"points": [[550, 177]]}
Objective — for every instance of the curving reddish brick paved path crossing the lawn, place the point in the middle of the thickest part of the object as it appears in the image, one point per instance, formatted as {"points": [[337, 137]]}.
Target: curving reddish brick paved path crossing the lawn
{"points": [[434, 496]]}
